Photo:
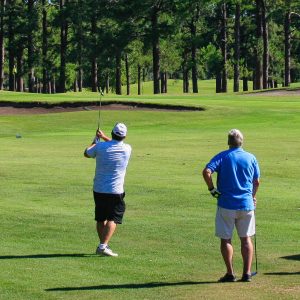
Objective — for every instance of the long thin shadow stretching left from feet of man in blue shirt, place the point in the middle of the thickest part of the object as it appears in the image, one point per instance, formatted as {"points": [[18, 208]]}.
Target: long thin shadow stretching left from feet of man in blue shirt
{"points": [[147, 285]]}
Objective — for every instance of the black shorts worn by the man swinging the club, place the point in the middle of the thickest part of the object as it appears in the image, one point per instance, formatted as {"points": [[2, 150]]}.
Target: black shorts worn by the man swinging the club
{"points": [[109, 207]]}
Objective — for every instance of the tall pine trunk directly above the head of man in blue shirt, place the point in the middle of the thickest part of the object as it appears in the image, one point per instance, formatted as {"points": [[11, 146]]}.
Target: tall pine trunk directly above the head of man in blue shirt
{"points": [[236, 76]]}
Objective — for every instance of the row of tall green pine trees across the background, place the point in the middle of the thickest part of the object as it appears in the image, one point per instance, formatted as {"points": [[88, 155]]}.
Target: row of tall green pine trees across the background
{"points": [[54, 46]]}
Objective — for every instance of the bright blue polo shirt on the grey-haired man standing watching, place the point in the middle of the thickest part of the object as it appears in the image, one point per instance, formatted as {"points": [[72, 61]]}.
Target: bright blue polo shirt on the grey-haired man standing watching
{"points": [[237, 169]]}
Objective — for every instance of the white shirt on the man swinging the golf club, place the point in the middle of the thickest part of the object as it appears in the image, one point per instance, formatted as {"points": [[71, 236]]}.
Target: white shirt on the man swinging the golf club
{"points": [[111, 162]]}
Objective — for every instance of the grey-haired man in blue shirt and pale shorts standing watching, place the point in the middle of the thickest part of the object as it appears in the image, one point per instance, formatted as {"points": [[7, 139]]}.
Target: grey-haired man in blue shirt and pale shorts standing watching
{"points": [[237, 183]]}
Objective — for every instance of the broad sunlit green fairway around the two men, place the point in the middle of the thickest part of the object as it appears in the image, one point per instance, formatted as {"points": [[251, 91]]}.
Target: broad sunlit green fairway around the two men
{"points": [[166, 246]]}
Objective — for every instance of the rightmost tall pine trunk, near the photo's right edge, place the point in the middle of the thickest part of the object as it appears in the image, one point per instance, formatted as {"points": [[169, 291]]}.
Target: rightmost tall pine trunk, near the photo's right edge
{"points": [[287, 48]]}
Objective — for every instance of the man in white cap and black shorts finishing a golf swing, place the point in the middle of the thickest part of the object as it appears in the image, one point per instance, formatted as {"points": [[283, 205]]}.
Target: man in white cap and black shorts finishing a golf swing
{"points": [[112, 157]]}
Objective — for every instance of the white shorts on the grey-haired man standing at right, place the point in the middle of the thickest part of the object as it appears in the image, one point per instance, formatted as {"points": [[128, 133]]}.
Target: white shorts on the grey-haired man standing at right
{"points": [[226, 219]]}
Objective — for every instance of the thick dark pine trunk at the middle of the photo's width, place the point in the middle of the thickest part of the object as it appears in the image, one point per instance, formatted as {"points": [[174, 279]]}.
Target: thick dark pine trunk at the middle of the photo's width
{"points": [[155, 50]]}
